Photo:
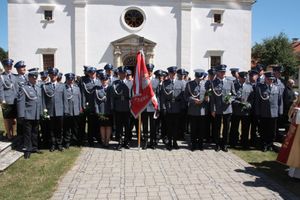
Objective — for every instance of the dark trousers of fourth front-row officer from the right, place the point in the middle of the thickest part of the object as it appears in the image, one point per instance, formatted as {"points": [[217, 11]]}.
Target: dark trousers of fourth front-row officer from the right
{"points": [[199, 126]]}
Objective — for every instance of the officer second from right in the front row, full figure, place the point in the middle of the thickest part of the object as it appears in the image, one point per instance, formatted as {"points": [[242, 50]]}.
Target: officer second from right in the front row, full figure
{"points": [[241, 107]]}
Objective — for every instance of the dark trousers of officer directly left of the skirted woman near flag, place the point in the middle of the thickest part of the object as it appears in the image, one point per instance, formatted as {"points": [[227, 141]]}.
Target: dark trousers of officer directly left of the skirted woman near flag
{"points": [[93, 128]]}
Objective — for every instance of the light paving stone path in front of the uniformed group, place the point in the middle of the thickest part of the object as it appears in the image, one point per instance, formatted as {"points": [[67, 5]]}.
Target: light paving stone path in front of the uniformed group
{"points": [[161, 174]]}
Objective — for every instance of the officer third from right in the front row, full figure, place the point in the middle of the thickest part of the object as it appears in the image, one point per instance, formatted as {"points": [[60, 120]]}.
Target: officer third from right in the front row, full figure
{"points": [[223, 94]]}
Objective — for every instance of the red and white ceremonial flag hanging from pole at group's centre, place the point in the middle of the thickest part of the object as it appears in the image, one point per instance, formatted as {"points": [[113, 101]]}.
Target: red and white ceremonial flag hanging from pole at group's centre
{"points": [[142, 88]]}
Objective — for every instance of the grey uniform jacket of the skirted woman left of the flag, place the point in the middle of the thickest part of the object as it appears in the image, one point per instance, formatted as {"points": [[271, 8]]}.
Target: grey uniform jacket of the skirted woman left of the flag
{"points": [[102, 99]]}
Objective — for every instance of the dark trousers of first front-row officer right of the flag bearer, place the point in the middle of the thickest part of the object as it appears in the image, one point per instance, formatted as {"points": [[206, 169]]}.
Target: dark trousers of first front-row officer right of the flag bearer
{"points": [[172, 122]]}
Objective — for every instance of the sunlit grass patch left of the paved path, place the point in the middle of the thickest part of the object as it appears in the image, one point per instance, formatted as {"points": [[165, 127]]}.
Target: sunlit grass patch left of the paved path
{"points": [[37, 177]]}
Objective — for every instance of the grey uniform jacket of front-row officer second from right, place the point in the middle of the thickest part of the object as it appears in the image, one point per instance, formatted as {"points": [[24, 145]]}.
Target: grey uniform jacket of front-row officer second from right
{"points": [[242, 105]]}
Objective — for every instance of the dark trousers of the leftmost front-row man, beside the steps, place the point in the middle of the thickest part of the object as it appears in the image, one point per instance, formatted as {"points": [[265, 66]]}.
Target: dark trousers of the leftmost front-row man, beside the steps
{"points": [[31, 135]]}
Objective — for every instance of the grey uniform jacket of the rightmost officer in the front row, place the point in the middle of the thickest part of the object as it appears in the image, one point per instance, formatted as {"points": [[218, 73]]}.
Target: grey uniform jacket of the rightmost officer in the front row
{"points": [[268, 101]]}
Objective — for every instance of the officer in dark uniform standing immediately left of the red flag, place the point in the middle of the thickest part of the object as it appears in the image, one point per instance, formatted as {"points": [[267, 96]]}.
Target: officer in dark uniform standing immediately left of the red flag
{"points": [[120, 98]]}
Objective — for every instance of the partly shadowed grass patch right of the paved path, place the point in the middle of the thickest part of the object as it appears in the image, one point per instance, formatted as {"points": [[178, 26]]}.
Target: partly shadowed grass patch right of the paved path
{"points": [[266, 163]]}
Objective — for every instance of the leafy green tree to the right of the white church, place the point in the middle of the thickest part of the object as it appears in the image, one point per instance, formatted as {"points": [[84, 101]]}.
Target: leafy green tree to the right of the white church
{"points": [[277, 50]]}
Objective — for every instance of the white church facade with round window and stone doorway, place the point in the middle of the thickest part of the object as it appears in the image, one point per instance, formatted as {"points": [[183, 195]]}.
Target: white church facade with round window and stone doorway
{"points": [[191, 34]]}
